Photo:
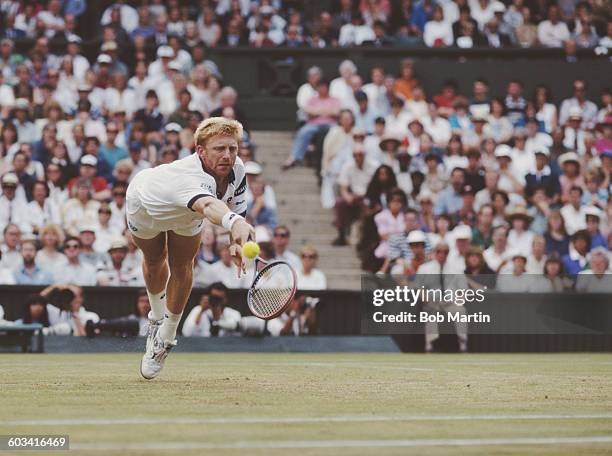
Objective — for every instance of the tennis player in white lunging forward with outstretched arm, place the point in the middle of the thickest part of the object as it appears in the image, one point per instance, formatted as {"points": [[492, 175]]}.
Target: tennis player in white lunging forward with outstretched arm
{"points": [[166, 206]]}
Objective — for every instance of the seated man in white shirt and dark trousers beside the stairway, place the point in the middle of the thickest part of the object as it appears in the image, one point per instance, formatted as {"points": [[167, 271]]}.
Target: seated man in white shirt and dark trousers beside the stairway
{"points": [[353, 180]]}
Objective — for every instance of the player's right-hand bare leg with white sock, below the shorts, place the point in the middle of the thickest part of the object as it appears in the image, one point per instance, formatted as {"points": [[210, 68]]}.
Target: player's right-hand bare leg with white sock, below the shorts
{"points": [[181, 253]]}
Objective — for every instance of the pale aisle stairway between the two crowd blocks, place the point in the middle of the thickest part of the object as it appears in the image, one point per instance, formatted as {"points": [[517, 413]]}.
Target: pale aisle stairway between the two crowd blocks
{"points": [[299, 208]]}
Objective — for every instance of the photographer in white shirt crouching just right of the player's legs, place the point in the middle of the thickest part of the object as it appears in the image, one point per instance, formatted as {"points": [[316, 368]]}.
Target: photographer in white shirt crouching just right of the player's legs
{"points": [[212, 317]]}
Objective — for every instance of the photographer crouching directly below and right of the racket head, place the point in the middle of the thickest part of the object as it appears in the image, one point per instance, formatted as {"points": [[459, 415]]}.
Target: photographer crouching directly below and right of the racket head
{"points": [[298, 320]]}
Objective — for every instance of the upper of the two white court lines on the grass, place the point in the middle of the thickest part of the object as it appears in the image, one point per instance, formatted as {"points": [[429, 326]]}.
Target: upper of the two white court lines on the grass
{"points": [[292, 420]]}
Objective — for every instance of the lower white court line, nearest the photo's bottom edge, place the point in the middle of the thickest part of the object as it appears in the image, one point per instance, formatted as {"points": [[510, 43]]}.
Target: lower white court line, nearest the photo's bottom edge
{"points": [[294, 444]]}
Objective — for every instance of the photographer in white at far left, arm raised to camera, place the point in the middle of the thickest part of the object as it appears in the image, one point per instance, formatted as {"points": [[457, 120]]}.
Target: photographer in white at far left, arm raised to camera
{"points": [[65, 310]]}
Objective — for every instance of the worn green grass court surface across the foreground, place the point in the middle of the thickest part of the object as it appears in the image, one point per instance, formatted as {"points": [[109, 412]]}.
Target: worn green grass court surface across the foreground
{"points": [[205, 387]]}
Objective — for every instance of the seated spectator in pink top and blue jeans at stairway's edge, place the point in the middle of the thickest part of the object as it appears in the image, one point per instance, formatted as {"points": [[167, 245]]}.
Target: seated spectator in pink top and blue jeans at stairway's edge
{"points": [[322, 111]]}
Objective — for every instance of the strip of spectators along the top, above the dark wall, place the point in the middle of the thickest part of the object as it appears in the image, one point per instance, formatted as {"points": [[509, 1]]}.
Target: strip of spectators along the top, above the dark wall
{"points": [[338, 23]]}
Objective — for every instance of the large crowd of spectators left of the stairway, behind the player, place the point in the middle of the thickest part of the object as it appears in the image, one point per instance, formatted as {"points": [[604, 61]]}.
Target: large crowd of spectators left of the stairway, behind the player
{"points": [[74, 132]]}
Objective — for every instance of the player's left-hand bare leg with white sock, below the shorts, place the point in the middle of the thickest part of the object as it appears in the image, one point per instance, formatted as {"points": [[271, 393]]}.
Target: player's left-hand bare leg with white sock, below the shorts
{"points": [[155, 270]]}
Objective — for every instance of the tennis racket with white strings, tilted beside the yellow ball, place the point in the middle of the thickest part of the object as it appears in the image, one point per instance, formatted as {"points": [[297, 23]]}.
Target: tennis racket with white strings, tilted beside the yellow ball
{"points": [[272, 290]]}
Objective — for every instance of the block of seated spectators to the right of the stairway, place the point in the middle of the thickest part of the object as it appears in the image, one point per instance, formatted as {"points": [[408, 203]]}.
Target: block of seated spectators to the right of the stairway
{"points": [[503, 182]]}
